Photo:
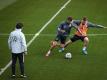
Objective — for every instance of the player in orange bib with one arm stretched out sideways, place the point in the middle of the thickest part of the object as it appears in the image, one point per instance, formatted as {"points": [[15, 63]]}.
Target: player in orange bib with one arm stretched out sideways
{"points": [[81, 33]]}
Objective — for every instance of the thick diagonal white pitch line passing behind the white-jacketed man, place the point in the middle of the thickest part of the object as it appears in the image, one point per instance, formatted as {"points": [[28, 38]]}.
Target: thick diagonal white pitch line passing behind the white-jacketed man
{"points": [[38, 33]]}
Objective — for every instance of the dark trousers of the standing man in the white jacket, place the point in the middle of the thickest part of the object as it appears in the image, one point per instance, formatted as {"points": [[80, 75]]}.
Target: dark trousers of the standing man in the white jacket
{"points": [[20, 56]]}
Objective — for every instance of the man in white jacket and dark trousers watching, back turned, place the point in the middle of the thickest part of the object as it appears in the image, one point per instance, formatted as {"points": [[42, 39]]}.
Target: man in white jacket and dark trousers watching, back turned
{"points": [[17, 45]]}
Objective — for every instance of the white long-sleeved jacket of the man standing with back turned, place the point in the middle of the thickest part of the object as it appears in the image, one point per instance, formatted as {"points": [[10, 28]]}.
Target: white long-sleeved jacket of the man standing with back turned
{"points": [[17, 42]]}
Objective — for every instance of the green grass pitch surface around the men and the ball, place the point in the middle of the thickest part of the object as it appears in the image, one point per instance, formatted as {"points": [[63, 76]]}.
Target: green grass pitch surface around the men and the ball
{"points": [[34, 14]]}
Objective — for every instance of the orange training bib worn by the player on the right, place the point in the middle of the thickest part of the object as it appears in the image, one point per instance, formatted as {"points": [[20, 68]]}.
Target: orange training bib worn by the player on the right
{"points": [[83, 29]]}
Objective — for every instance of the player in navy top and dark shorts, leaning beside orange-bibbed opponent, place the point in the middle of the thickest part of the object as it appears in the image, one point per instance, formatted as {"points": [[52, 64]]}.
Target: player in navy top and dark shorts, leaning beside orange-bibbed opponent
{"points": [[62, 34]]}
